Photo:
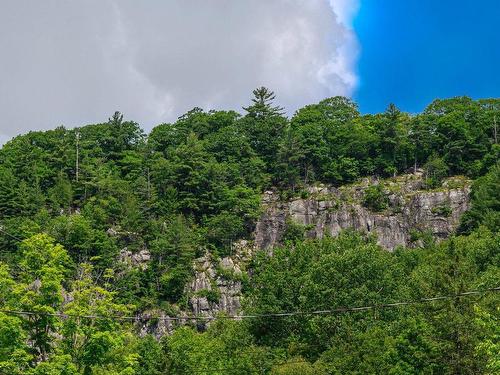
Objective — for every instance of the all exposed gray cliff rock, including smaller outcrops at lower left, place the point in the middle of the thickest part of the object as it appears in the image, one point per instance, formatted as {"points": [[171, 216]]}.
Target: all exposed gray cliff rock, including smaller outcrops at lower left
{"points": [[321, 210]]}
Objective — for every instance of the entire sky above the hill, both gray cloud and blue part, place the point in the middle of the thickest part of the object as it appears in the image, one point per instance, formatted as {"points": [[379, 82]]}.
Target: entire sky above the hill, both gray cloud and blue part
{"points": [[75, 62]]}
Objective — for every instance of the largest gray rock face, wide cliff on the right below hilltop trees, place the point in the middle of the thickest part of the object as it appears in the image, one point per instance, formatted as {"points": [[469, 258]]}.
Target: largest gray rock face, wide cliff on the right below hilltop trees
{"points": [[329, 210]]}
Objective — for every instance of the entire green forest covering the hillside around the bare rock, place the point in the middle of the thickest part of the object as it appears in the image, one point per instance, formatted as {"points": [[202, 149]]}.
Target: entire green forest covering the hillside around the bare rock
{"points": [[72, 199]]}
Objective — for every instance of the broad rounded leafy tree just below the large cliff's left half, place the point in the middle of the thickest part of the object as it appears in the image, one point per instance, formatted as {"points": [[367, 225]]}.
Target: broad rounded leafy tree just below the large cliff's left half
{"points": [[319, 275]]}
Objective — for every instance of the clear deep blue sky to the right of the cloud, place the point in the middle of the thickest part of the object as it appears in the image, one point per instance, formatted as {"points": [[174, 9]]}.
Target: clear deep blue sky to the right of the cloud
{"points": [[413, 51]]}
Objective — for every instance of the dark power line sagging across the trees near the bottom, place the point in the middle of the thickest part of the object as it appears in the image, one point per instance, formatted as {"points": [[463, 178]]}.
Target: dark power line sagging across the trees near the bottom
{"points": [[339, 310]]}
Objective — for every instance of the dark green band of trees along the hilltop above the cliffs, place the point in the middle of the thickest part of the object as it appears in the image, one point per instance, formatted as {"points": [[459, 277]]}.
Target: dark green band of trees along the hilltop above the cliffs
{"points": [[210, 167]]}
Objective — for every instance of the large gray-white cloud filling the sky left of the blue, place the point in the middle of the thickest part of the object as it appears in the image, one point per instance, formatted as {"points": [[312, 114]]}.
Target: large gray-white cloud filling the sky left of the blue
{"points": [[76, 62]]}
